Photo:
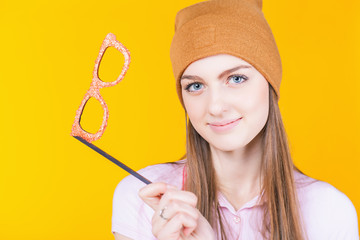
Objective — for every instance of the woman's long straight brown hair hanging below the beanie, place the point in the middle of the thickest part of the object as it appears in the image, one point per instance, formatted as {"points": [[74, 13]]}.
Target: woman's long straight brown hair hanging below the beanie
{"points": [[281, 217]]}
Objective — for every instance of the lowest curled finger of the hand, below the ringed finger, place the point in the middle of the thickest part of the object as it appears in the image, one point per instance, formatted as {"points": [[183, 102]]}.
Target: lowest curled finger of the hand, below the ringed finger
{"points": [[181, 222]]}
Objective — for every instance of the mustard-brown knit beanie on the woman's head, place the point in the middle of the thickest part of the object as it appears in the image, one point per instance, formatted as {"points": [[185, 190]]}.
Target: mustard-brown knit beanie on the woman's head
{"points": [[235, 27]]}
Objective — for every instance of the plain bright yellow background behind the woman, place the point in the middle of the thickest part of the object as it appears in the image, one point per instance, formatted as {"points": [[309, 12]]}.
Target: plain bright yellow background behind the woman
{"points": [[54, 187]]}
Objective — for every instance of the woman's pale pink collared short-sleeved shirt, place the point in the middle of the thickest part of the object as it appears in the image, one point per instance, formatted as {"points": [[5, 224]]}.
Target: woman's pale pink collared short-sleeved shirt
{"points": [[327, 213]]}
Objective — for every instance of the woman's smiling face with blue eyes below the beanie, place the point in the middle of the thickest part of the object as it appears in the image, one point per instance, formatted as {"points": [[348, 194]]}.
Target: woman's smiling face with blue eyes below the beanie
{"points": [[220, 89]]}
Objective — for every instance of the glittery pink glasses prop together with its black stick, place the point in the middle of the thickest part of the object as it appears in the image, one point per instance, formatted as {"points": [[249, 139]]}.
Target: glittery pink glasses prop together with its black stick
{"points": [[77, 131]]}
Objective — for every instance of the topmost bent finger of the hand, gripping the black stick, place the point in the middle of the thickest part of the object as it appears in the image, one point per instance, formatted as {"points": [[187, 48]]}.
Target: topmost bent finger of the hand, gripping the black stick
{"points": [[151, 193]]}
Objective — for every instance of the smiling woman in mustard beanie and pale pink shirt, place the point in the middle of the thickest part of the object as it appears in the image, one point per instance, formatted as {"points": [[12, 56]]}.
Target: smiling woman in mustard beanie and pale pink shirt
{"points": [[237, 179]]}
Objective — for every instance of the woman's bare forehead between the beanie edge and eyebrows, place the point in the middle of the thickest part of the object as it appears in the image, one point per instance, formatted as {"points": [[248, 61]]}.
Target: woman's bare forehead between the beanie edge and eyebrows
{"points": [[215, 64]]}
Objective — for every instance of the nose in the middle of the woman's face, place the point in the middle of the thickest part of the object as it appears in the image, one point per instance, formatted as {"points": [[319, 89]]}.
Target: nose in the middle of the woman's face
{"points": [[217, 102]]}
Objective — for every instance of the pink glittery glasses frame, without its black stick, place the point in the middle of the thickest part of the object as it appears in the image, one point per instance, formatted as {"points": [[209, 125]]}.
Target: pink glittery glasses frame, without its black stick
{"points": [[96, 85]]}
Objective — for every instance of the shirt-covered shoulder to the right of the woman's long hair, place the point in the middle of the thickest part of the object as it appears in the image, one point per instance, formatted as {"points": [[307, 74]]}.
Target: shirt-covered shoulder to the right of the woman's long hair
{"points": [[325, 209]]}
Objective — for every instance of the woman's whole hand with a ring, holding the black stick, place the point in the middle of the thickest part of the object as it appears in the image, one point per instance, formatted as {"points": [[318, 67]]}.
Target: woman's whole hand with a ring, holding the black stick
{"points": [[183, 221]]}
